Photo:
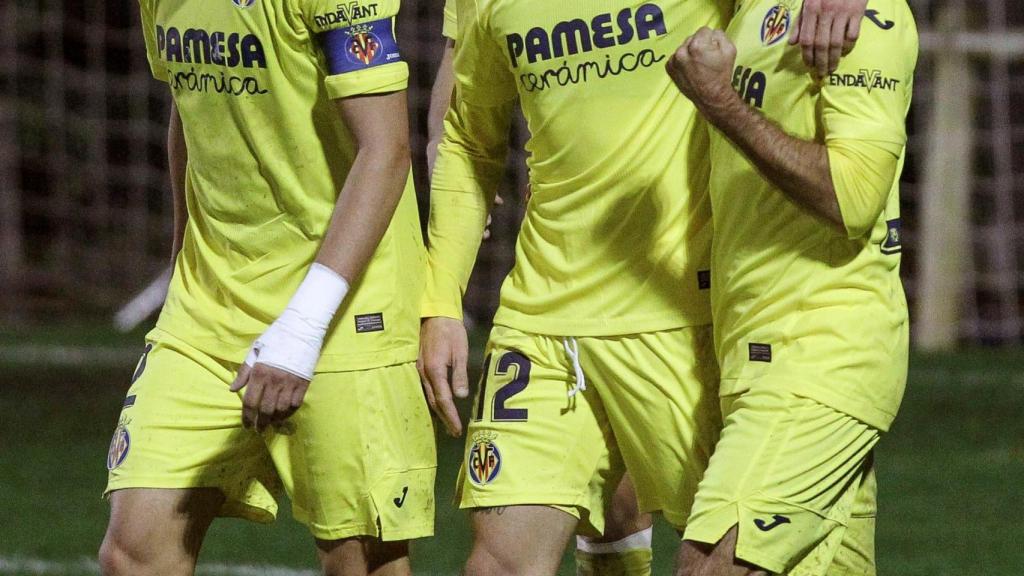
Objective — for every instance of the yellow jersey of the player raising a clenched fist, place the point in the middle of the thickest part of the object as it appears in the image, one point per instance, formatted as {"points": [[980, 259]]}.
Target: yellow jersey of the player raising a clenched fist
{"points": [[787, 287]]}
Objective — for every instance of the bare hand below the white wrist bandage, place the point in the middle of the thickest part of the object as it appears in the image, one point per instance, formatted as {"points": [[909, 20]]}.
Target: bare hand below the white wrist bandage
{"points": [[272, 395]]}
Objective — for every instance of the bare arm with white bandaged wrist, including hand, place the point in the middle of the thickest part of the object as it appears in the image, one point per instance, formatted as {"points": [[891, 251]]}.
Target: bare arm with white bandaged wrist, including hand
{"points": [[363, 213]]}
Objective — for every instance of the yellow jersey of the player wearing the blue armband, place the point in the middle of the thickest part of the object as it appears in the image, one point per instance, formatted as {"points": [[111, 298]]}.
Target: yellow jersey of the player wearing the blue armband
{"points": [[253, 81]]}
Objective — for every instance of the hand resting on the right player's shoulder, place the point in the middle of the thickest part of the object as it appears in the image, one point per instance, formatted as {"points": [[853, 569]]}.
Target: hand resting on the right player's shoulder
{"points": [[827, 30]]}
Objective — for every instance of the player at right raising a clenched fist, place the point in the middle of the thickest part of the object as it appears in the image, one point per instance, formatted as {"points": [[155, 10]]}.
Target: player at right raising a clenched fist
{"points": [[810, 318]]}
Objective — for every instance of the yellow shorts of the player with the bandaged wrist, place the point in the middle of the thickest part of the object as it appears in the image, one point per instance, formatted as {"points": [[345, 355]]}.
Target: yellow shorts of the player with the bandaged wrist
{"points": [[357, 460]]}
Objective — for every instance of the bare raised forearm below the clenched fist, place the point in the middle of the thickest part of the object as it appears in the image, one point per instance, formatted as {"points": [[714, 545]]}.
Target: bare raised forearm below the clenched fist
{"points": [[798, 168]]}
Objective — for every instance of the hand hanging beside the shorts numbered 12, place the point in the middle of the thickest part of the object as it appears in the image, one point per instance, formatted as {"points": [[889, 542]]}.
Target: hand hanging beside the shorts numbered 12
{"points": [[444, 354]]}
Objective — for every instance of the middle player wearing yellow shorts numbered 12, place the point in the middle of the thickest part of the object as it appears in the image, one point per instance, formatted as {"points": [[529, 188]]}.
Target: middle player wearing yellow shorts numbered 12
{"points": [[602, 354]]}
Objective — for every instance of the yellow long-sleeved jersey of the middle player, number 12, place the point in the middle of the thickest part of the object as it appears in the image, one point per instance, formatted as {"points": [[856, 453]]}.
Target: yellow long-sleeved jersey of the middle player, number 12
{"points": [[617, 234]]}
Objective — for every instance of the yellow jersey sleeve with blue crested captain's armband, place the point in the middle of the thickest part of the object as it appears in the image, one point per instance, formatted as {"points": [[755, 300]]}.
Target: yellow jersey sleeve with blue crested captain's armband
{"points": [[359, 45]]}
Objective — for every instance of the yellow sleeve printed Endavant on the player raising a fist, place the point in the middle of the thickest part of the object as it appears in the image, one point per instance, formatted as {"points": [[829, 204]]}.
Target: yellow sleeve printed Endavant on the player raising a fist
{"points": [[868, 97]]}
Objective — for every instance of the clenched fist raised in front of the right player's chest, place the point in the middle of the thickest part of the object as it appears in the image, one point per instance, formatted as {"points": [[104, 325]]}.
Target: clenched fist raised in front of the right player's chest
{"points": [[702, 68]]}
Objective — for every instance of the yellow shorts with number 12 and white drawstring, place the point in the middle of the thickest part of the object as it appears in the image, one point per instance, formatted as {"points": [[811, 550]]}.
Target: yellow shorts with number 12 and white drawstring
{"points": [[651, 404]]}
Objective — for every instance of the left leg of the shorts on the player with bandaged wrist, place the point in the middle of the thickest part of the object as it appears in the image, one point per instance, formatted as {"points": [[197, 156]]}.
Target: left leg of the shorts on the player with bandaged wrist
{"points": [[181, 428]]}
